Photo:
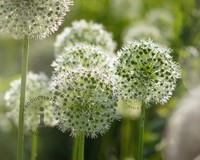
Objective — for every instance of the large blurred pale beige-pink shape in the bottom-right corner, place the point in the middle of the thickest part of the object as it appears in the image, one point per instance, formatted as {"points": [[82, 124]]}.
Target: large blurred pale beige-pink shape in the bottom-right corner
{"points": [[183, 128]]}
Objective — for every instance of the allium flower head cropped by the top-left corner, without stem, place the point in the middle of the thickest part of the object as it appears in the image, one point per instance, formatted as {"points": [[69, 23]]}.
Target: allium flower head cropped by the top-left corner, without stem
{"points": [[33, 18]]}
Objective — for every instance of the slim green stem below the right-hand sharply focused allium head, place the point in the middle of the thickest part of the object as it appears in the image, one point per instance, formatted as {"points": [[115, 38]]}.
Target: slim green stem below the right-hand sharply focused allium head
{"points": [[141, 132]]}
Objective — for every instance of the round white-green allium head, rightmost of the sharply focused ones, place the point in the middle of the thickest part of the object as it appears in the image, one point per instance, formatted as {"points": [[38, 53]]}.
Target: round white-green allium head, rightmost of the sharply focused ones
{"points": [[147, 72]]}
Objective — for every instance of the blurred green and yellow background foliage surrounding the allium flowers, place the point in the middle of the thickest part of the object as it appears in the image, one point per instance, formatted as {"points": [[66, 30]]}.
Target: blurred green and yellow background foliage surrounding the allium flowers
{"points": [[175, 23]]}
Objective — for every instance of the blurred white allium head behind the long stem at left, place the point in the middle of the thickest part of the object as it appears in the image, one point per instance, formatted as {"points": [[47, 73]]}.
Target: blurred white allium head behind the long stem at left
{"points": [[37, 101]]}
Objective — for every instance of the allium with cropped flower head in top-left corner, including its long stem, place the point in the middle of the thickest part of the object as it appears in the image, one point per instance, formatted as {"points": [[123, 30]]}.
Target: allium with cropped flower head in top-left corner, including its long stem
{"points": [[24, 19]]}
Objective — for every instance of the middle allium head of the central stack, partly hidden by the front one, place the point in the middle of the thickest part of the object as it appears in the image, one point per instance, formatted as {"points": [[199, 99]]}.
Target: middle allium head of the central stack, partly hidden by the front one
{"points": [[81, 55]]}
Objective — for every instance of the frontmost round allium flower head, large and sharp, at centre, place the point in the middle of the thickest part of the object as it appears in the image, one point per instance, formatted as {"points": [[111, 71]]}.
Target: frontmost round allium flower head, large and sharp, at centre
{"points": [[84, 101]]}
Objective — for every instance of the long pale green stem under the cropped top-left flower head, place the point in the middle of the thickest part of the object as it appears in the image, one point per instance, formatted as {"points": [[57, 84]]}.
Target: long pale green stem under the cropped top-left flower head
{"points": [[24, 69]]}
